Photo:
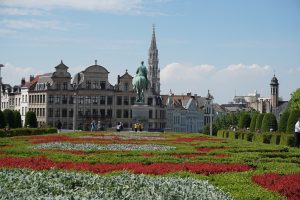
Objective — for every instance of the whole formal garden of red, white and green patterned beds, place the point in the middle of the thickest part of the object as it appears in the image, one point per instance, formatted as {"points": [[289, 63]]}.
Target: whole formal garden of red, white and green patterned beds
{"points": [[144, 165]]}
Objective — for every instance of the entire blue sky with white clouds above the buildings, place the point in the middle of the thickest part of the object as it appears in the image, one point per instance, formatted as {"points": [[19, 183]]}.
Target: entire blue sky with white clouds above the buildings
{"points": [[231, 47]]}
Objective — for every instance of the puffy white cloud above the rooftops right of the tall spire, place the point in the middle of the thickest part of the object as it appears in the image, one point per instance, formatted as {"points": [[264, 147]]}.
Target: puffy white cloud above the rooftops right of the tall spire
{"points": [[223, 82]]}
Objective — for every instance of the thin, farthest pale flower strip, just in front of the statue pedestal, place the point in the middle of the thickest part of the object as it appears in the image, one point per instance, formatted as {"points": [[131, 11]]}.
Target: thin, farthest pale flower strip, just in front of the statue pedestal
{"points": [[124, 137]]}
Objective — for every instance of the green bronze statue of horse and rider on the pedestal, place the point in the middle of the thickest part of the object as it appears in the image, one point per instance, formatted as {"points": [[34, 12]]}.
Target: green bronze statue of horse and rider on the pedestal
{"points": [[140, 83]]}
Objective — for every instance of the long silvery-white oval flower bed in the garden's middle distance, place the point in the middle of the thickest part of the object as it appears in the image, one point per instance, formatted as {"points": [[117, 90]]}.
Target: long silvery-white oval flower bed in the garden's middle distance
{"points": [[113, 147]]}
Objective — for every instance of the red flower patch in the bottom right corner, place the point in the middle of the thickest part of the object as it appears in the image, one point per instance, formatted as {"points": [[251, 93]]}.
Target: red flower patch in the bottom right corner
{"points": [[286, 185]]}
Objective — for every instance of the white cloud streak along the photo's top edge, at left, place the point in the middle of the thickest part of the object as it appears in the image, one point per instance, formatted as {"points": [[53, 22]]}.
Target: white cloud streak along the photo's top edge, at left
{"points": [[121, 6]]}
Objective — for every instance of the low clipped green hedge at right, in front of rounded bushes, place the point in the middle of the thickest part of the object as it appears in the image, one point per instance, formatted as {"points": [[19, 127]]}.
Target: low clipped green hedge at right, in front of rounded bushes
{"points": [[267, 137]]}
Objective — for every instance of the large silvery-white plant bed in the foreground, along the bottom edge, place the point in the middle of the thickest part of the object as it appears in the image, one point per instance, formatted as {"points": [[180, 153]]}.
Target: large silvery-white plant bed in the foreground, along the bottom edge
{"points": [[26, 184]]}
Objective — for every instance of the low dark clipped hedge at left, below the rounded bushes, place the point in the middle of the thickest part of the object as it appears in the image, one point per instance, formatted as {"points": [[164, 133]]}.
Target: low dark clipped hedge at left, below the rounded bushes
{"points": [[26, 131]]}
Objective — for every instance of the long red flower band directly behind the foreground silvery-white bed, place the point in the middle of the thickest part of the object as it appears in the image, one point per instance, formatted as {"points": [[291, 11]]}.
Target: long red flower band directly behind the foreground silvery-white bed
{"points": [[41, 163]]}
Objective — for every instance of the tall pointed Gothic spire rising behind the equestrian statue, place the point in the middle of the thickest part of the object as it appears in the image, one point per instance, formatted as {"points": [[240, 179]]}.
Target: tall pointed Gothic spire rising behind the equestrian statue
{"points": [[153, 70]]}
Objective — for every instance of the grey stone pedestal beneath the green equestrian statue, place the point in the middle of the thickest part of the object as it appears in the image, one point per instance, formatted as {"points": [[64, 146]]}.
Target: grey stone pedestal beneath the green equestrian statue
{"points": [[140, 113]]}
